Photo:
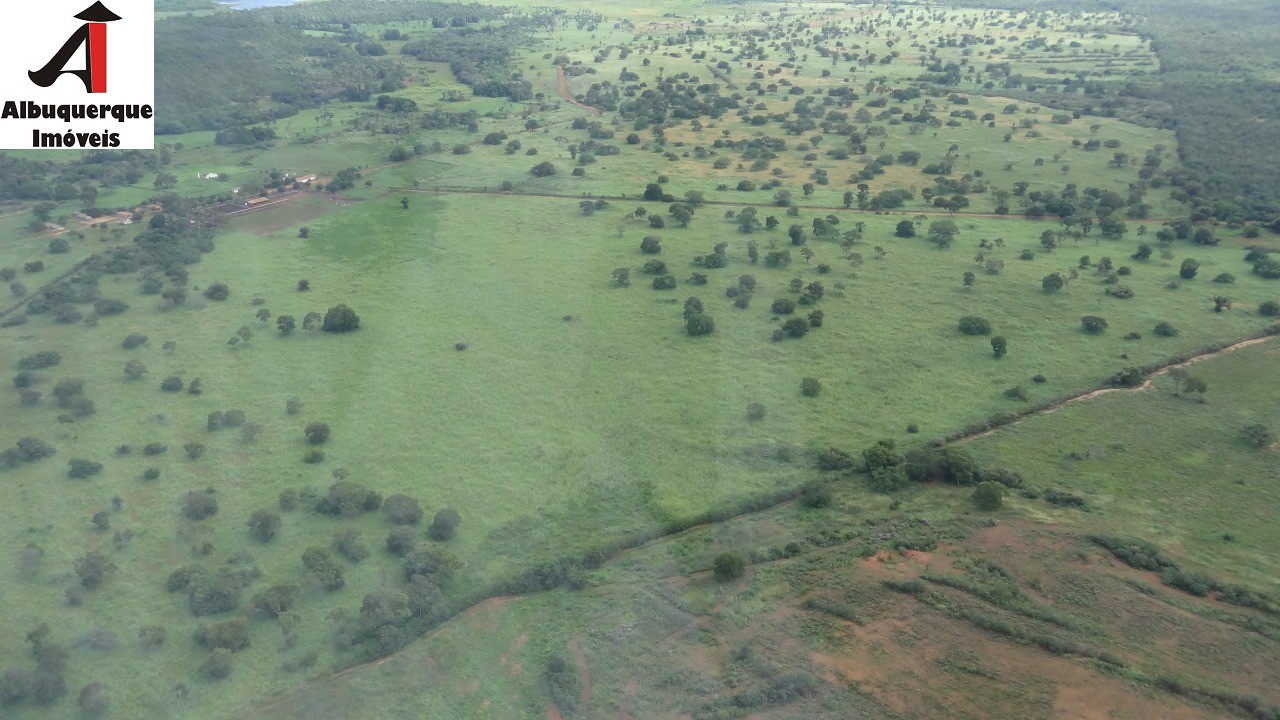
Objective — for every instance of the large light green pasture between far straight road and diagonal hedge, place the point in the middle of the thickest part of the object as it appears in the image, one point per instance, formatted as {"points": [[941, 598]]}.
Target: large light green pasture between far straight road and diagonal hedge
{"points": [[547, 435]]}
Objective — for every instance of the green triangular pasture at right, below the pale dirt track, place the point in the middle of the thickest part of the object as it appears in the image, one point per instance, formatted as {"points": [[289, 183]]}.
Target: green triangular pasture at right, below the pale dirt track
{"points": [[1169, 470]]}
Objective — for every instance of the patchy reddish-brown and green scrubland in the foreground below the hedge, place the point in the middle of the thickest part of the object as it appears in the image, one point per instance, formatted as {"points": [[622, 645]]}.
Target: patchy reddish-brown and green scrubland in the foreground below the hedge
{"points": [[685, 646]]}
